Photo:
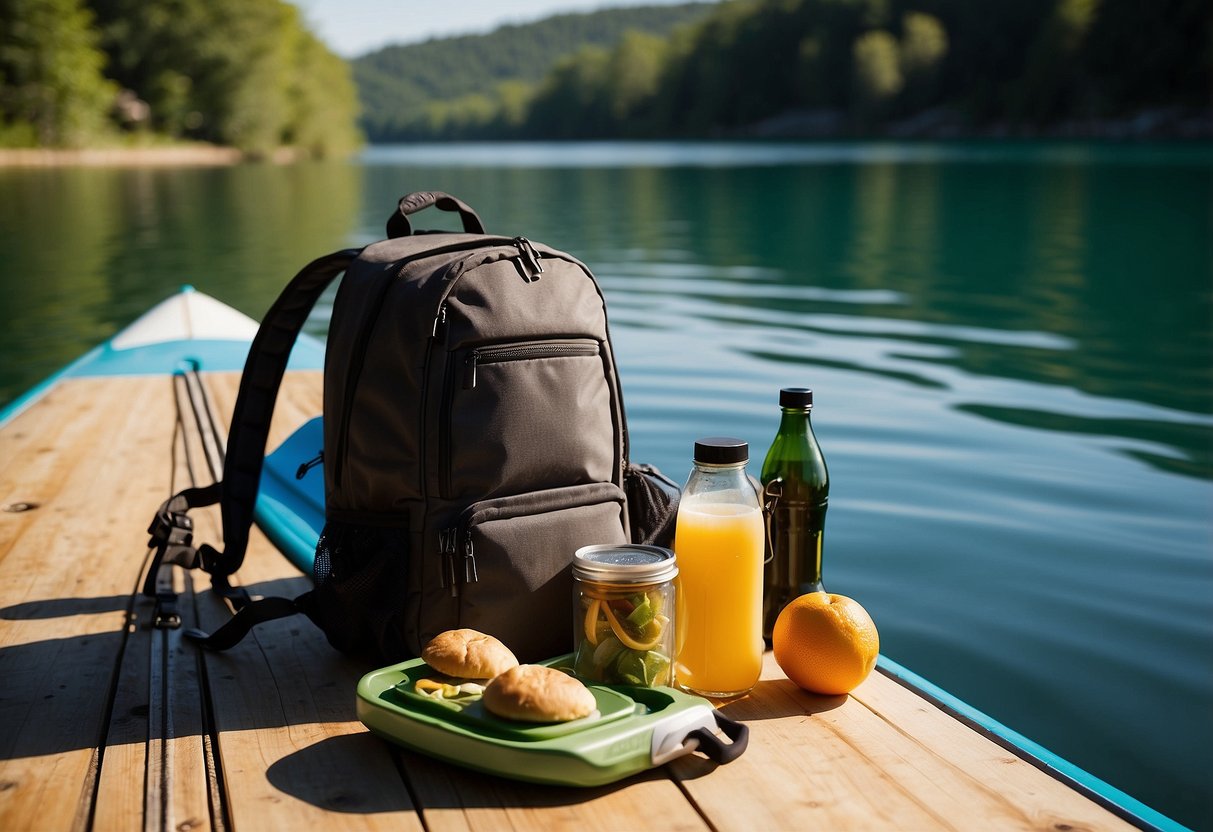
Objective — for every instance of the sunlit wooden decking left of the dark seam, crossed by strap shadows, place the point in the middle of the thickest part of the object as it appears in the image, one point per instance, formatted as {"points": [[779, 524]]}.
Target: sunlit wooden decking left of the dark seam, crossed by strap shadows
{"points": [[70, 569]]}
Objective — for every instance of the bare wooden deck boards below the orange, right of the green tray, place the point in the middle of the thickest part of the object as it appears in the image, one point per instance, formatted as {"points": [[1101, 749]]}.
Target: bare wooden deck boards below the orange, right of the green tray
{"points": [[882, 757]]}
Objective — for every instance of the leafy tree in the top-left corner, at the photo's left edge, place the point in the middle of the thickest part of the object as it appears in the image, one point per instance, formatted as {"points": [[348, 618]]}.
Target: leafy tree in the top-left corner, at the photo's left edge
{"points": [[53, 92]]}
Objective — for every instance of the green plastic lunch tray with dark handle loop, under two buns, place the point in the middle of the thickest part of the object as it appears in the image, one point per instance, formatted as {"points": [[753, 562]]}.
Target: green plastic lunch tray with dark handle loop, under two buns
{"points": [[633, 731]]}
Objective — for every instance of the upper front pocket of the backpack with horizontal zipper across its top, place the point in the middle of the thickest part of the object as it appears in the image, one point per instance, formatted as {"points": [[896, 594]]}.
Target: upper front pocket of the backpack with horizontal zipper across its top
{"points": [[523, 415]]}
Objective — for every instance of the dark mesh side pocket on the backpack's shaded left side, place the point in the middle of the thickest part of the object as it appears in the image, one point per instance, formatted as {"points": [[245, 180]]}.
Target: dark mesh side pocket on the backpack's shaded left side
{"points": [[361, 578]]}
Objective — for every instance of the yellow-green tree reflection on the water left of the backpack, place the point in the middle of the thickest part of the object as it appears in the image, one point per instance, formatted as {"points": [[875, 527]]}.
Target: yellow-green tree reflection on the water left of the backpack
{"points": [[87, 250]]}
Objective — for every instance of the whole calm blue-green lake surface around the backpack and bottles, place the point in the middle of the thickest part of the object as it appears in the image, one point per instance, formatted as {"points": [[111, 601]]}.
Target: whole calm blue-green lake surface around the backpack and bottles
{"points": [[1011, 345]]}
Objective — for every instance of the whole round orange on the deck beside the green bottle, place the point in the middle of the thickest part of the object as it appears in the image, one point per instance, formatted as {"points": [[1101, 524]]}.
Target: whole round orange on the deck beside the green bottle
{"points": [[825, 643]]}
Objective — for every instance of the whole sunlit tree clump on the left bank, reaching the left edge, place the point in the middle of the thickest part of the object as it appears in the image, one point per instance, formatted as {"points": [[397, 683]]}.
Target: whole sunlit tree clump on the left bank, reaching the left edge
{"points": [[240, 73]]}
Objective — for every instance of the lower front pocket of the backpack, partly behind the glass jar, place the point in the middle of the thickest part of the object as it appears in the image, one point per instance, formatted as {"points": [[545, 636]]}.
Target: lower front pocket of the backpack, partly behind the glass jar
{"points": [[510, 561]]}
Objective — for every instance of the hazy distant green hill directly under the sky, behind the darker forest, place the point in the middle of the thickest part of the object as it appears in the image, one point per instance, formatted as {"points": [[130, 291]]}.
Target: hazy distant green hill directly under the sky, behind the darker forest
{"points": [[411, 92]]}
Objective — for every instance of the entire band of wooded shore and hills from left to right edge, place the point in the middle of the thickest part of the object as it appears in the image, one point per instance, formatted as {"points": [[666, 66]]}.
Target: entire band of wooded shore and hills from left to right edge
{"points": [[249, 75]]}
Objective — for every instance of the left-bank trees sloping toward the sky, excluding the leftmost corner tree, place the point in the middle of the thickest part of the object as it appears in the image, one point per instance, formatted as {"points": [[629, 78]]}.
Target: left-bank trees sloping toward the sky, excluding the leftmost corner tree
{"points": [[244, 73]]}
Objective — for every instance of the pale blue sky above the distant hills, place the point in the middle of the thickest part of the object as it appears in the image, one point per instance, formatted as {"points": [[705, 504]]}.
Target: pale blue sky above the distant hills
{"points": [[356, 27]]}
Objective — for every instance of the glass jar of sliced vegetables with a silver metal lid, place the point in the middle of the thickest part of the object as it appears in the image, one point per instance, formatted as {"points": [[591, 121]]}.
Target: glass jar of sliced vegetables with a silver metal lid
{"points": [[624, 614]]}
